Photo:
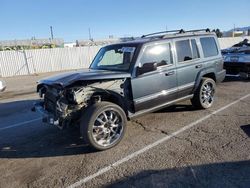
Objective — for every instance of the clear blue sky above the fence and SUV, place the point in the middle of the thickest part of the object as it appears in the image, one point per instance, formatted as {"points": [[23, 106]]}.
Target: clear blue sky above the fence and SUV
{"points": [[71, 19]]}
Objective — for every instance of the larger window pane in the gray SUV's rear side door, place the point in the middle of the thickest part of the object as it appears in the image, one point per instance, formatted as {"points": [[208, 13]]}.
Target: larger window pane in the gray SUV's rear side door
{"points": [[183, 50]]}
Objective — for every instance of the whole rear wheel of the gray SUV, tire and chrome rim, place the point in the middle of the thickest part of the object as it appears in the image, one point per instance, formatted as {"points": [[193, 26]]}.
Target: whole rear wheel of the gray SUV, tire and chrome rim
{"points": [[204, 95]]}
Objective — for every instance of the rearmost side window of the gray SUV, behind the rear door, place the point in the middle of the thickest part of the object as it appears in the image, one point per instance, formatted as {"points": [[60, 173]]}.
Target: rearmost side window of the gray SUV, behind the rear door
{"points": [[209, 46]]}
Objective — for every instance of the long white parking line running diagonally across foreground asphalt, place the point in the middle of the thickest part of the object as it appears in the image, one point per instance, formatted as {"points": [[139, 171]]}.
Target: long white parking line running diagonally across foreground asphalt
{"points": [[143, 150]]}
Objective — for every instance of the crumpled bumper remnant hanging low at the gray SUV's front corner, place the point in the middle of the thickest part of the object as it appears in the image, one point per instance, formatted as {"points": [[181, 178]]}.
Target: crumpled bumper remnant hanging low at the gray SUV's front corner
{"points": [[47, 117]]}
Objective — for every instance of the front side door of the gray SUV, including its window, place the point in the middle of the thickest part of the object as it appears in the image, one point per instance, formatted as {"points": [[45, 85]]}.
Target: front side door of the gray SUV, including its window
{"points": [[155, 88]]}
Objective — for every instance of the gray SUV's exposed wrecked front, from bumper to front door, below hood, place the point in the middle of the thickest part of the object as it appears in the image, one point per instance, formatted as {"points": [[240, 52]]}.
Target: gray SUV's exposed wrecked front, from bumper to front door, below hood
{"points": [[63, 106]]}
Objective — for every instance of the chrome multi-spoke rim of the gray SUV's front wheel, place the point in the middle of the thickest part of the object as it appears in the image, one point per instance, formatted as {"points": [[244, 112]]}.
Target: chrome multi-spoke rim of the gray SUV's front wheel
{"points": [[107, 128]]}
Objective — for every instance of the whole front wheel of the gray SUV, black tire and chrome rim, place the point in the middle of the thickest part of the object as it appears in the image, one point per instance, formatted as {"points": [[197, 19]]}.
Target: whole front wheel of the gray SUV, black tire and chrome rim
{"points": [[103, 125]]}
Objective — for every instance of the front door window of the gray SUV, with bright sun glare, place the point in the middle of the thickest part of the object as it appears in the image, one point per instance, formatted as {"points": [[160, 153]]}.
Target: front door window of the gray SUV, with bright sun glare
{"points": [[160, 54]]}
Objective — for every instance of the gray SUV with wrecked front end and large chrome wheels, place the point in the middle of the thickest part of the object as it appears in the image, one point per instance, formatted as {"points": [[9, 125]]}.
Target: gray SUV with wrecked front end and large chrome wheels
{"points": [[132, 78]]}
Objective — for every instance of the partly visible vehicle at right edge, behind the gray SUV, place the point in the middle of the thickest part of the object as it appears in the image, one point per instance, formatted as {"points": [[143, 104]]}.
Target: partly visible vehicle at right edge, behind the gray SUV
{"points": [[237, 59]]}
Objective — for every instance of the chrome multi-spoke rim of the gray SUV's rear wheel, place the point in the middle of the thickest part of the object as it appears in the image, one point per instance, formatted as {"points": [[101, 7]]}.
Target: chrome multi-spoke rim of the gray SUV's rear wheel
{"points": [[207, 94]]}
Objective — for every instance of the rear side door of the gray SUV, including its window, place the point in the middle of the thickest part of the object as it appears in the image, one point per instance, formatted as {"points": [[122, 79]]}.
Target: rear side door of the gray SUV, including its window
{"points": [[188, 64]]}
